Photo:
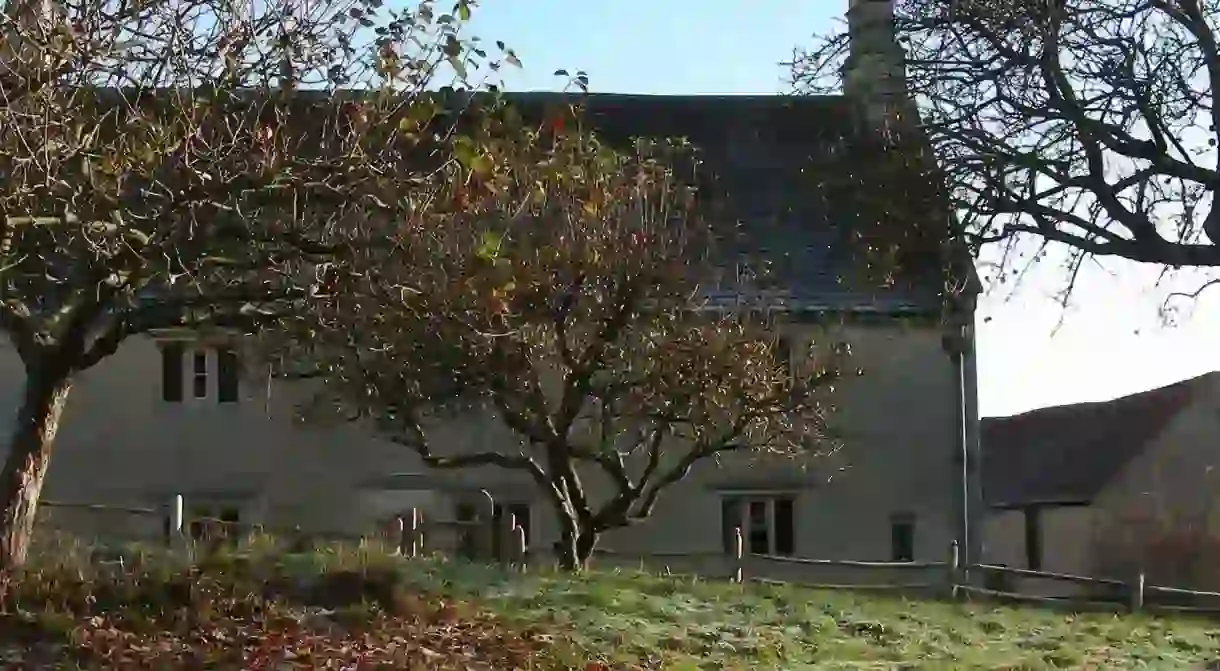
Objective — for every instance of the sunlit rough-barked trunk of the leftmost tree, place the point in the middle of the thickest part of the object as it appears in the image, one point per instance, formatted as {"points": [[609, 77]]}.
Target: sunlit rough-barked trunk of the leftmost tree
{"points": [[30, 452]]}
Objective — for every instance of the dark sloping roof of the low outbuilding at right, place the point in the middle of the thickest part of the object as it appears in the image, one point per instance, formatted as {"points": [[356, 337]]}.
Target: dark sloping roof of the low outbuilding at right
{"points": [[1069, 454]]}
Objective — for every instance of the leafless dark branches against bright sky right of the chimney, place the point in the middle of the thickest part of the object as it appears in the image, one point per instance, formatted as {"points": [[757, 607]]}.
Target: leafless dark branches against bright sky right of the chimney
{"points": [[1093, 124]]}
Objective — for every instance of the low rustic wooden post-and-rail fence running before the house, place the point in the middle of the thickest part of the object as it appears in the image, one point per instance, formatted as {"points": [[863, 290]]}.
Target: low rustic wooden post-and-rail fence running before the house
{"points": [[503, 540]]}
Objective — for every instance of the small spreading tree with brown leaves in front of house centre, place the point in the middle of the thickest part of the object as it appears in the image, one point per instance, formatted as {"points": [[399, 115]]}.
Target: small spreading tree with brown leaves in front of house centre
{"points": [[561, 297]]}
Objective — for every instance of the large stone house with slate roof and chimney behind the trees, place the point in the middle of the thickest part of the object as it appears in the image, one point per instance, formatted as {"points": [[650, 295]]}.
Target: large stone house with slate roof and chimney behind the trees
{"points": [[180, 413]]}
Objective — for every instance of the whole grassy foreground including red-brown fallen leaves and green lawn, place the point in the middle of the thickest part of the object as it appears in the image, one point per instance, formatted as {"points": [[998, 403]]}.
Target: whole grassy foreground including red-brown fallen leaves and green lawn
{"points": [[337, 609]]}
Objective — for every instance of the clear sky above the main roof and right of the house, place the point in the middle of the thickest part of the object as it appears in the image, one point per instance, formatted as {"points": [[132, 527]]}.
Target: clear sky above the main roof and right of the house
{"points": [[1112, 342]]}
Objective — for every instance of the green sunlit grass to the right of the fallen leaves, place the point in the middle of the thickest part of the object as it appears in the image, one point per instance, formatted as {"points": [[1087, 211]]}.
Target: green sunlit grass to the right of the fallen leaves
{"points": [[686, 624]]}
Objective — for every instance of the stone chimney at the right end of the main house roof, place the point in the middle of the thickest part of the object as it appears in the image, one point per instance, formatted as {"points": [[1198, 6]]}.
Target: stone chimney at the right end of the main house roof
{"points": [[875, 73]]}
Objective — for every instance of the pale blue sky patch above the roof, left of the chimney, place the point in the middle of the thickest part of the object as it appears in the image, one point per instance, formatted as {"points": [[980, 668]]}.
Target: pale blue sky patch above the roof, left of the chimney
{"points": [[655, 47]]}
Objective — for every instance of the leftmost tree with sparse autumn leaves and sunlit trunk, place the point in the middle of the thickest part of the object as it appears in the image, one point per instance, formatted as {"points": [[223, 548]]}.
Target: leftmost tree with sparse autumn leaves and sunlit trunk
{"points": [[181, 163]]}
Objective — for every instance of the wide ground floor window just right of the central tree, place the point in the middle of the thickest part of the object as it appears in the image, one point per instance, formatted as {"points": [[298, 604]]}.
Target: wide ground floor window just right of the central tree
{"points": [[768, 523]]}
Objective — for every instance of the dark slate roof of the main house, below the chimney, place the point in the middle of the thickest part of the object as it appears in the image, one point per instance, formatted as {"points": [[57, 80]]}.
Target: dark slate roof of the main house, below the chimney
{"points": [[783, 215]]}
